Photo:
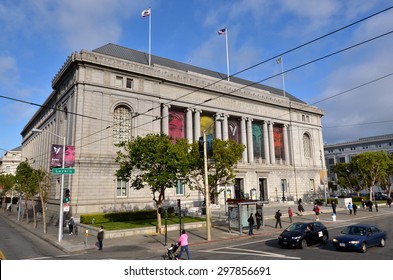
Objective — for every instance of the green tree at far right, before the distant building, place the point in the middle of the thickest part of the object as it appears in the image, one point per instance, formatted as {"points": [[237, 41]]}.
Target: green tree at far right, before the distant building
{"points": [[371, 167]]}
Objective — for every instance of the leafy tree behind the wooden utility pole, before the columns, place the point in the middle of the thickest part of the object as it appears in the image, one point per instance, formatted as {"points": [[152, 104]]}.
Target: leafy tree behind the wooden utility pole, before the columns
{"points": [[221, 166]]}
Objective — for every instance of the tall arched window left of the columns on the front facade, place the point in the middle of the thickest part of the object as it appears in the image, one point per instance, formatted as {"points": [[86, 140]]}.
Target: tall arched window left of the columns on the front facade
{"points": [[122, 124]]}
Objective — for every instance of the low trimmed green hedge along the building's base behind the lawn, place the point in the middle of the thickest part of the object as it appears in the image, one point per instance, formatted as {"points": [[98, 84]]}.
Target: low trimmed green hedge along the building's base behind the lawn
{"points": [[117, 216]]}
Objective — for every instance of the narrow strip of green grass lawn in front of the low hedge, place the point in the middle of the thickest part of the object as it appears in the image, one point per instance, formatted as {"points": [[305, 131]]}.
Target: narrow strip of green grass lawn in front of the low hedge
{"points": [[146, 223]]}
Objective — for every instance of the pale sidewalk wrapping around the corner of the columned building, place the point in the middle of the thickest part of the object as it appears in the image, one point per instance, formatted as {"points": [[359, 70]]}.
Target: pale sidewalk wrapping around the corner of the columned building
{"points": [[197, 235]]}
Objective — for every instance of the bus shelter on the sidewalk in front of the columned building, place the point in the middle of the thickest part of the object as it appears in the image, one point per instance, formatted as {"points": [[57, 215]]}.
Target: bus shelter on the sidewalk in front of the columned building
{"points": [[239, 210]]}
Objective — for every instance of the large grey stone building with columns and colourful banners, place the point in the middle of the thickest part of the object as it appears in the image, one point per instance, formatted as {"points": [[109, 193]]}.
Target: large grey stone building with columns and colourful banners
{"points": [[111, 94]]}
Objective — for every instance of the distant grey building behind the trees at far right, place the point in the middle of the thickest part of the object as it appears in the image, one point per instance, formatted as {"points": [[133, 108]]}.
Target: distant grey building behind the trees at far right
{"points": [[343, 152]]}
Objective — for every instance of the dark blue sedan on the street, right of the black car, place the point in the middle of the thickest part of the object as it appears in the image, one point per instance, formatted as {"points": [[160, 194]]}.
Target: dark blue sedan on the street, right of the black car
{"points": [[359, 237]]}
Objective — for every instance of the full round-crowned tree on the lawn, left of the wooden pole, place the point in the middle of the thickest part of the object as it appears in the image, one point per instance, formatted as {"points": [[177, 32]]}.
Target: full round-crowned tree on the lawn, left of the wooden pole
{"points": [[153, 161]]}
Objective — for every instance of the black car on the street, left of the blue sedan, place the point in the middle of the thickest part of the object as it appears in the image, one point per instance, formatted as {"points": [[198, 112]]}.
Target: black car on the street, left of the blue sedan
{"points": [[301, 235]]}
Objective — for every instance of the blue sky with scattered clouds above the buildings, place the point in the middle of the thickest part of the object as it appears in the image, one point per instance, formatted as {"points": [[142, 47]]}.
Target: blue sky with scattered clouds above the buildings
{"points": [[348, 74]]}
